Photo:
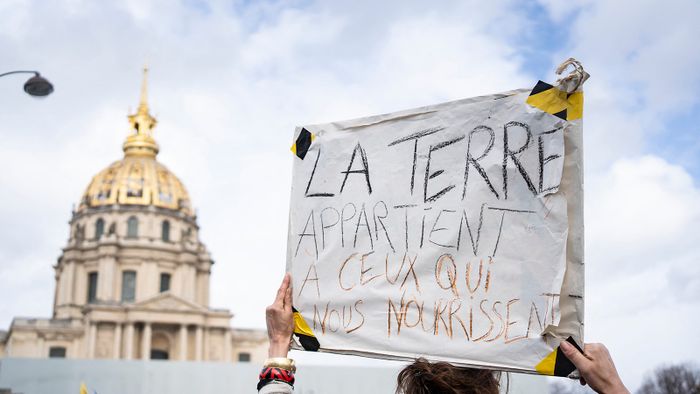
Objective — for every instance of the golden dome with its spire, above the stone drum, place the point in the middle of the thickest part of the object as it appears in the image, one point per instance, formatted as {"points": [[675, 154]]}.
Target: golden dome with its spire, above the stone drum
{"points": [[138, 179]]}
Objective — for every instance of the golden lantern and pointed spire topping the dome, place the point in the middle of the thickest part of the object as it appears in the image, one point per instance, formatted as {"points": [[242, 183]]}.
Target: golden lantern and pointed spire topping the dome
{"points": [[141, 142]]}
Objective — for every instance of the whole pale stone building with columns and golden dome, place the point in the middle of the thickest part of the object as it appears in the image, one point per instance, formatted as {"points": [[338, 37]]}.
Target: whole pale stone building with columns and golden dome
{"points": [[133, 280]]}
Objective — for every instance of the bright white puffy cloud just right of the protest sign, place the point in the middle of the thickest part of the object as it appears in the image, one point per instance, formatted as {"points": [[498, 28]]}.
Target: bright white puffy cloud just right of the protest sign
{"points": [[644, 201]]}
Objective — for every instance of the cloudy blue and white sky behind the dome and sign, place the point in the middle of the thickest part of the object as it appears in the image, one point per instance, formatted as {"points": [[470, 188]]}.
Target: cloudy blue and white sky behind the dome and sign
{"points": [[230, 80]]}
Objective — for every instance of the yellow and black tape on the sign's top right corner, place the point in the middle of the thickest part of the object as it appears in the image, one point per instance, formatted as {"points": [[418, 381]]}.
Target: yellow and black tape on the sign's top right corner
{"points": [[567, 106]]}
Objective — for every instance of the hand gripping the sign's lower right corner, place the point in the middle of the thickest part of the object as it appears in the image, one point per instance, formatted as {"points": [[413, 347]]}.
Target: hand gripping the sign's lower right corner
{"points": [[596, 367]]}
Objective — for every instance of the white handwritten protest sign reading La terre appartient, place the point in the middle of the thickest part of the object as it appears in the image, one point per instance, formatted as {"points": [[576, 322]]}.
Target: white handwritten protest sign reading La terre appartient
{"points": [[452, 232]]}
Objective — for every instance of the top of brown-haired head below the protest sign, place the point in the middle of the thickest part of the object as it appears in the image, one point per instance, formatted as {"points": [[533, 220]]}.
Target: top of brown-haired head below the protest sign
{"points": [[423, 377]]}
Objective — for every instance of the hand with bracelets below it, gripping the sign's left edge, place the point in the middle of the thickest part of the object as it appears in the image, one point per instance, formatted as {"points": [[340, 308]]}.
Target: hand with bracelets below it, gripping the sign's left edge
{"points": [[280, 321]]}
